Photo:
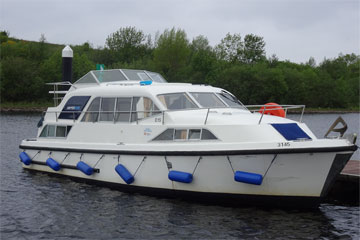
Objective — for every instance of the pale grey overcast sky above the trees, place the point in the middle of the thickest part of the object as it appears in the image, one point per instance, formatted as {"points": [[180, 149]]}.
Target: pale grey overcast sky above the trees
{"points": [[293, 30]]}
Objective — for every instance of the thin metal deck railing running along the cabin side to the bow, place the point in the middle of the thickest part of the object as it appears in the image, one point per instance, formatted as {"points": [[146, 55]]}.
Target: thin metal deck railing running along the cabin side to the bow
{"points": [[95, 116]]}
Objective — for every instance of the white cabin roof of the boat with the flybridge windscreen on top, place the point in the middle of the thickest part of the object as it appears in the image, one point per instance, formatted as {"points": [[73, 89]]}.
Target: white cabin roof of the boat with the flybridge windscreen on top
{"points": [[131, 82]]}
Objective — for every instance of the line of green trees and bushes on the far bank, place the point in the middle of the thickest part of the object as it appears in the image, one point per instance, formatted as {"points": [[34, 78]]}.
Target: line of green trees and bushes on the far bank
{"points": [[238, 64]]}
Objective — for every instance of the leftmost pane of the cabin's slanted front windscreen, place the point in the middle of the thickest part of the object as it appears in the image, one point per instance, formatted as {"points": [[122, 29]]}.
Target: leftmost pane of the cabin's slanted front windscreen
{"points": [[176, 101]]}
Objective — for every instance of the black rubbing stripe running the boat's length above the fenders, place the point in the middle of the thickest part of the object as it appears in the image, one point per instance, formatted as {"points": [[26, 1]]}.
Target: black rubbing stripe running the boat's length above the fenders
{"points": [[197, 153]]}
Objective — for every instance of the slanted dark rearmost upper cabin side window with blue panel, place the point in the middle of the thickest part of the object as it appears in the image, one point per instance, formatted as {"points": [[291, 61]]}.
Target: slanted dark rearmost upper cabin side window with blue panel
{"points": [[74, 107]]}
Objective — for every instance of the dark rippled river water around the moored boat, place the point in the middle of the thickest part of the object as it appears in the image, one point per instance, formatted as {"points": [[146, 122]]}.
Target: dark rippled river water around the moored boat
{"points": [[40, 206]]}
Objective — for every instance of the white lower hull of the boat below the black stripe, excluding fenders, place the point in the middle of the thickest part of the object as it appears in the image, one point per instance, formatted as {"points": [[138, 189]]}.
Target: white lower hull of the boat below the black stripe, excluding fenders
{"points": [[287, 178]]}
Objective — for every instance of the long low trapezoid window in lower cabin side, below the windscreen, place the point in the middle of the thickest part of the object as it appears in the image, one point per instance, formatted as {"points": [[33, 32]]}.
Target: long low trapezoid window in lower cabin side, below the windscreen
{"points": [[172, 134]]}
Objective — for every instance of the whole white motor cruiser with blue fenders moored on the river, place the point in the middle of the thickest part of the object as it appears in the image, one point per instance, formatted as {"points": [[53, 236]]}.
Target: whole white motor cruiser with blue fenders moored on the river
{"points": [[132, 129]]}
